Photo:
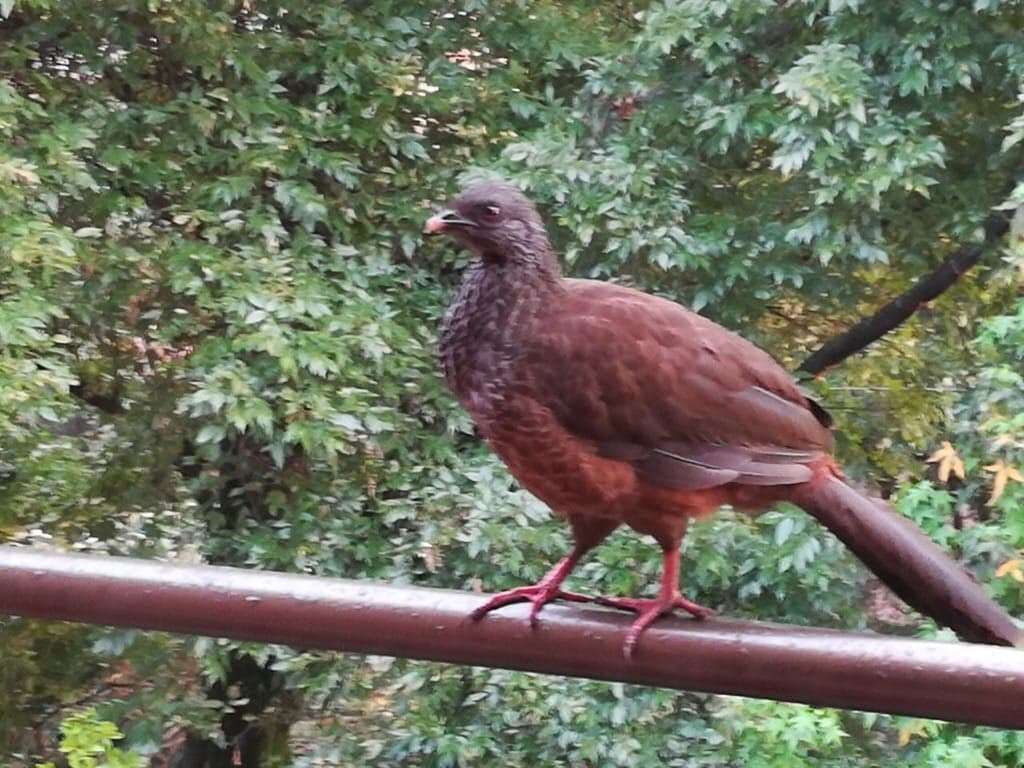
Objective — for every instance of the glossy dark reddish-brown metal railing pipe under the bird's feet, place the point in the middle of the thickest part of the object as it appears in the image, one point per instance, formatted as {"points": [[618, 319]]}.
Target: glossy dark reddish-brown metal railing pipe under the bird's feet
{"points": [[949, 681]]}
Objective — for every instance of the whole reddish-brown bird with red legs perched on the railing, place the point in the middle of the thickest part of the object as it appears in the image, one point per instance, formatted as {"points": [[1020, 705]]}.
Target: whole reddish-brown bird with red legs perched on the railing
{"points": [[616, 407]]}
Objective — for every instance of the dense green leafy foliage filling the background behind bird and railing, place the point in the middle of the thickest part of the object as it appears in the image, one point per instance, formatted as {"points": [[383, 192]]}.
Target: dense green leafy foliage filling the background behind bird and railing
{"points": [[218, 331]]}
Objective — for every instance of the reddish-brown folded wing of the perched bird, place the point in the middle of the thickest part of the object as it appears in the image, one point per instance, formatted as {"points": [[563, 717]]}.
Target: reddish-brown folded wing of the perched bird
{"points": [[690, 404]]}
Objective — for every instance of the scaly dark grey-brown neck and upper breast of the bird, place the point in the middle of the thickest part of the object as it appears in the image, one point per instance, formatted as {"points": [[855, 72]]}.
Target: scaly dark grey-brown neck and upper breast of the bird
{"points": [[495, 305]]}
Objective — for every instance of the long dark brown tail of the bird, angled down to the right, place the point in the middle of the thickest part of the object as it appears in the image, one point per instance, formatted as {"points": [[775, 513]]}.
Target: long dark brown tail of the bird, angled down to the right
{"points": [[909, 563]]}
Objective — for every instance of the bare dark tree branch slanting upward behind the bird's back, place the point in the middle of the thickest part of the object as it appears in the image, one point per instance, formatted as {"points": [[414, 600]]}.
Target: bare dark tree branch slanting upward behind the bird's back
{"points": [[897, 312]]}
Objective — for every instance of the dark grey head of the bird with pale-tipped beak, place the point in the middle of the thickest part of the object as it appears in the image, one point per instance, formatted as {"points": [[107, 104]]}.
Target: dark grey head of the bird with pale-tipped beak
{"points": [[497, 223]]}
